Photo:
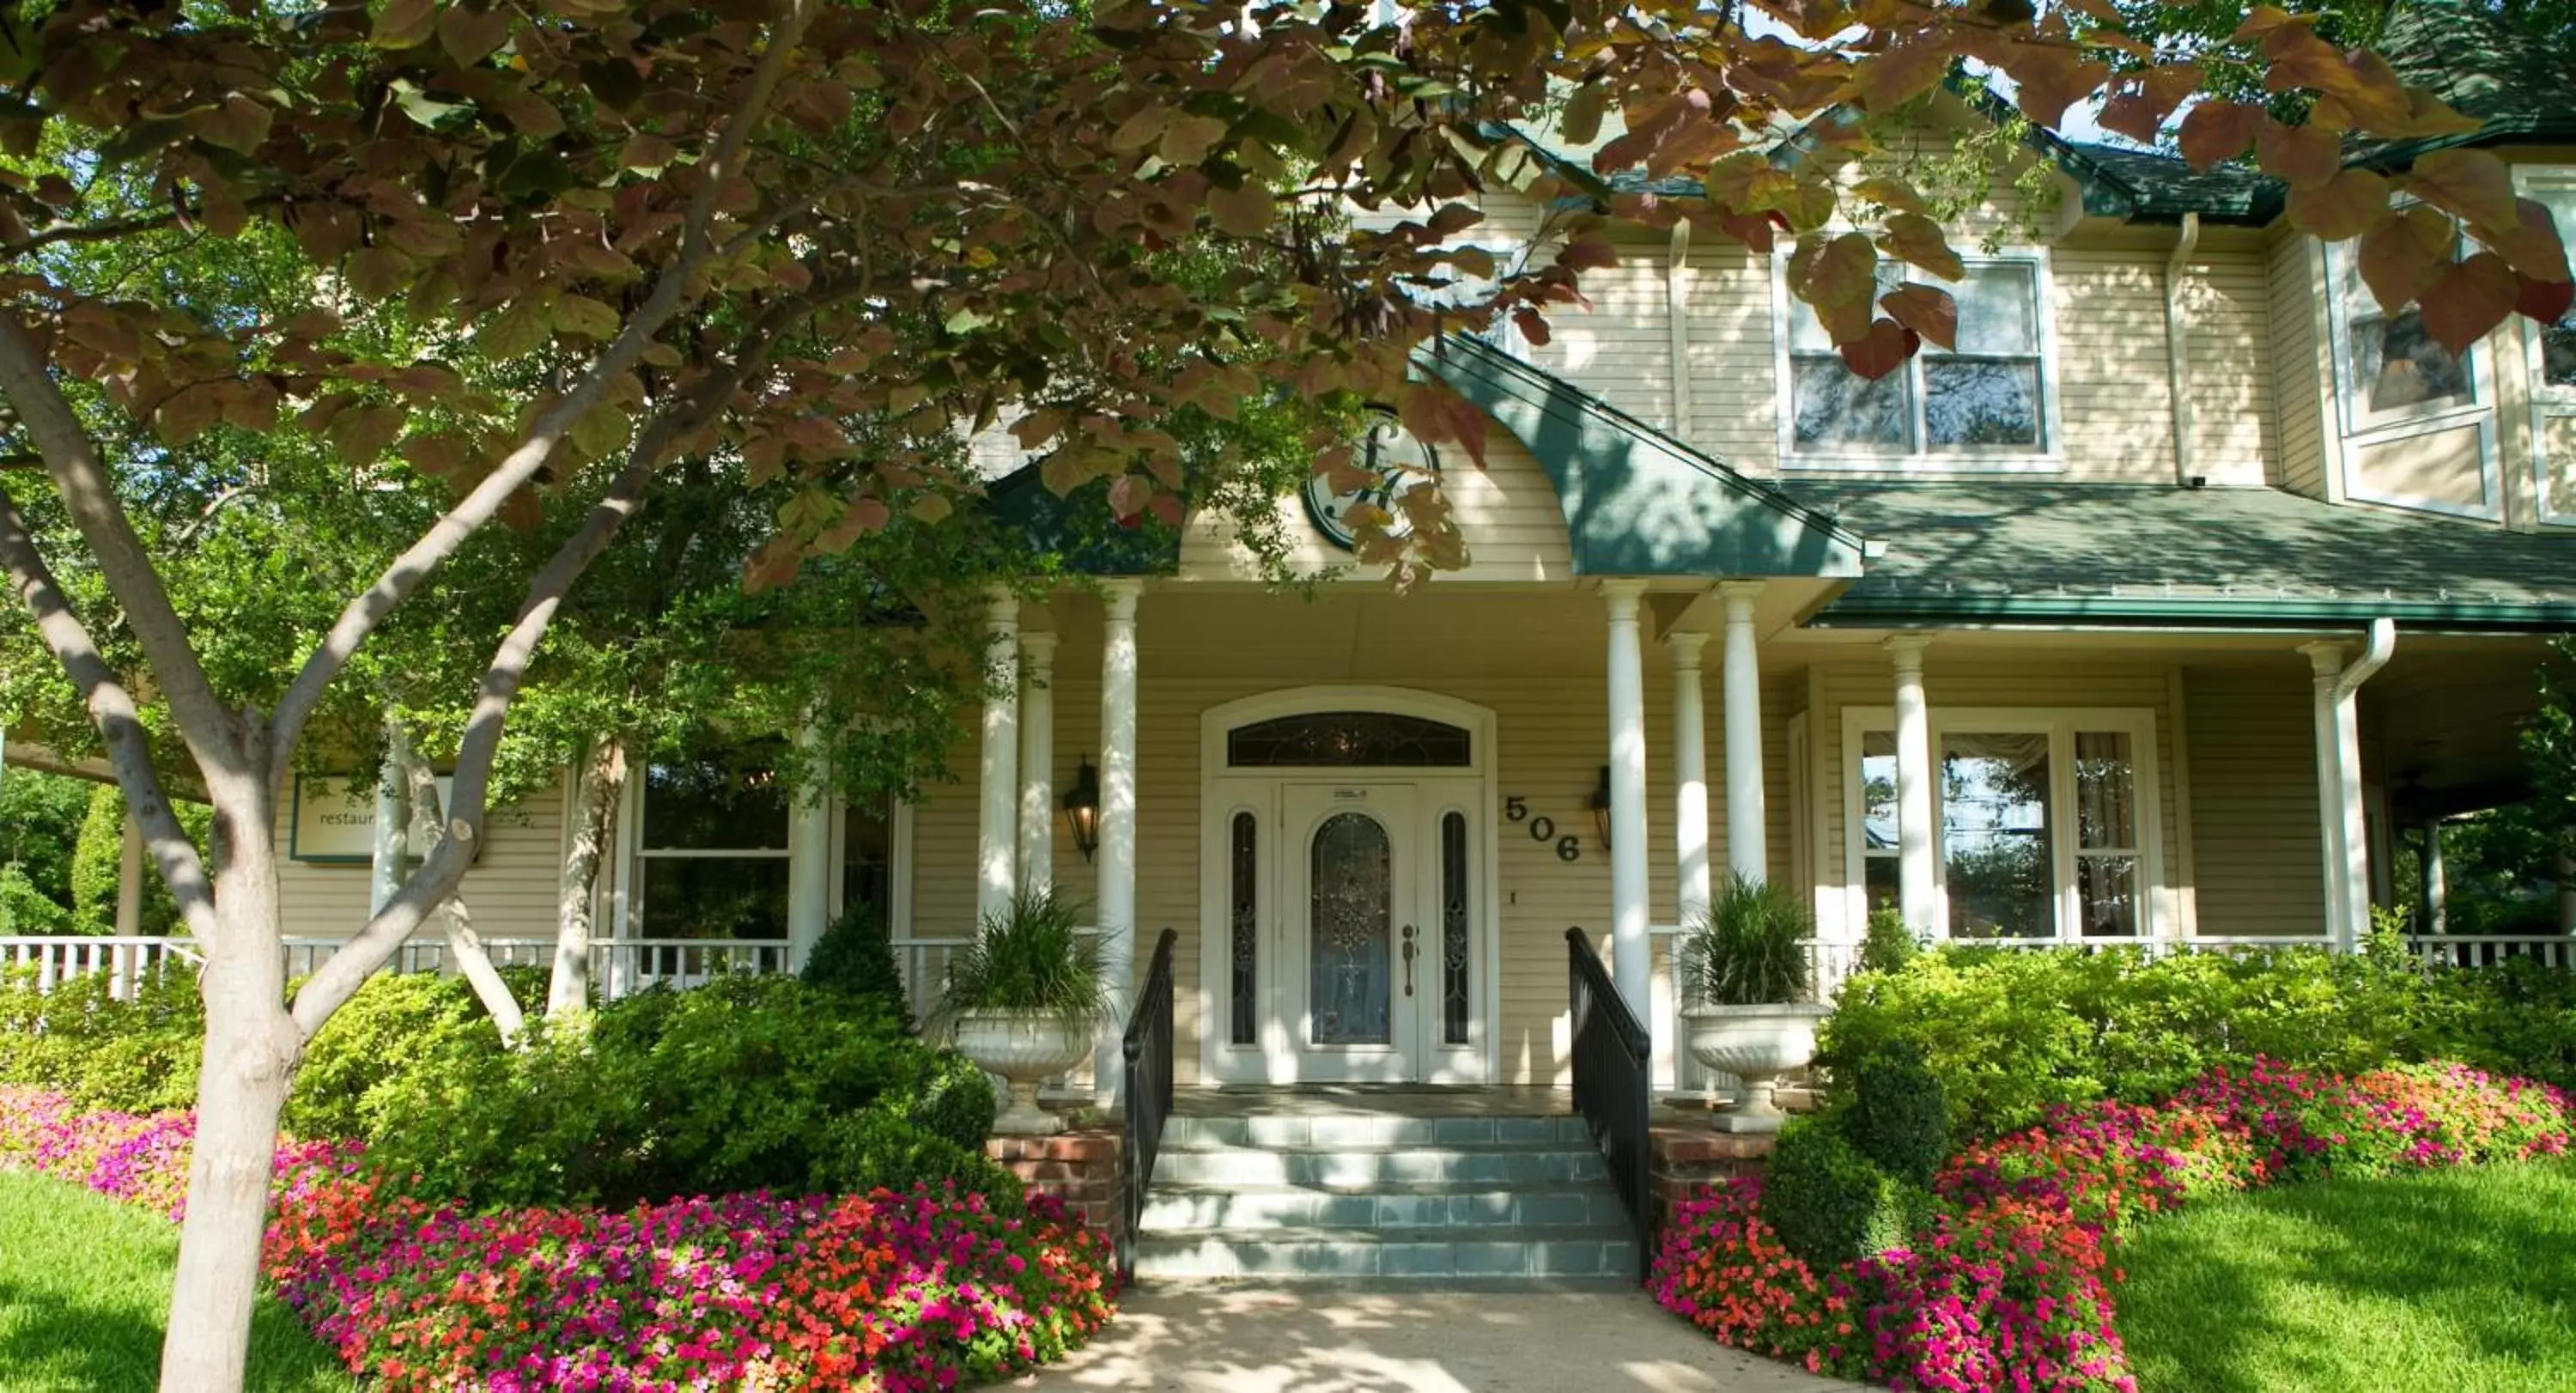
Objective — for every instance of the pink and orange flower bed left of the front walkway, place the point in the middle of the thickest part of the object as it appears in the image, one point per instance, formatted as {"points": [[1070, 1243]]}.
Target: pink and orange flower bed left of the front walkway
{"points": [[882, 1291]]}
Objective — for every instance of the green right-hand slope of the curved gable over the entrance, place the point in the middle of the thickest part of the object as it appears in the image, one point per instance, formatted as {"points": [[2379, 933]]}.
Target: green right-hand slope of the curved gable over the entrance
{"points": [[1637, 501]]}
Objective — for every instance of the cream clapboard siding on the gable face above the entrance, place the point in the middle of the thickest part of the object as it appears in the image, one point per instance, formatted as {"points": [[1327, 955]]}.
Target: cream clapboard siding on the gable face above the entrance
{"points": [[1508, 511]]}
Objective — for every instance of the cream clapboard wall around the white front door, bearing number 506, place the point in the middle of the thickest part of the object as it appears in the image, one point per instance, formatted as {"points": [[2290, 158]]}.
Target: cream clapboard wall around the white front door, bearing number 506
{"points": [[1549, 730]]}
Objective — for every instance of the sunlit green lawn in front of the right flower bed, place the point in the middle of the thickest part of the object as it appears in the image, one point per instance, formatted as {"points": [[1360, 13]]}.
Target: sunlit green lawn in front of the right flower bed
{"points": [[2423, 1284]]}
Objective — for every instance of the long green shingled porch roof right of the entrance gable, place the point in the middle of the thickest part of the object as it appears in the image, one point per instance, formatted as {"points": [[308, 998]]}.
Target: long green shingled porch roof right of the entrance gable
{"points": [[2150, 555]]}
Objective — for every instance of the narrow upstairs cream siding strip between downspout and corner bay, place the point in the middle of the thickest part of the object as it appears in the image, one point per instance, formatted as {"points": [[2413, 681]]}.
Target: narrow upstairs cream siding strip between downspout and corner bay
{"points": [[2232, 369]]}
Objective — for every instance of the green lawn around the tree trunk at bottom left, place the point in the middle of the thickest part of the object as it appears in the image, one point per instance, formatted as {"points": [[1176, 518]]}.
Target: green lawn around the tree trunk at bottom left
{"points": [[84, 1289]]}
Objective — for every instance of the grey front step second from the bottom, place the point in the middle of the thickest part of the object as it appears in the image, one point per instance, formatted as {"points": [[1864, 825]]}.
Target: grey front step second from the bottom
{"points": [[1387, 1206]]}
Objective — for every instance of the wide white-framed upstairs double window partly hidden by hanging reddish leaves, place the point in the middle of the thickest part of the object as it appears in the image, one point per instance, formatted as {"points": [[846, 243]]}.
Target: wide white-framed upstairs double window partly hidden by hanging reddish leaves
{"points": [[1985, 403]]}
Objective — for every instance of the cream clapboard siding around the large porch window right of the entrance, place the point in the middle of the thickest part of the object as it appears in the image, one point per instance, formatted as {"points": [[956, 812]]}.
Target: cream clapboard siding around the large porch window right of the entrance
{"points": [[1985, 684]]}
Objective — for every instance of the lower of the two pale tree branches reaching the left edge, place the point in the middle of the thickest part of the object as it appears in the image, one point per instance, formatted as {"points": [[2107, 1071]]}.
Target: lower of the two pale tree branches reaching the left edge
{"points": [[130, 751]]}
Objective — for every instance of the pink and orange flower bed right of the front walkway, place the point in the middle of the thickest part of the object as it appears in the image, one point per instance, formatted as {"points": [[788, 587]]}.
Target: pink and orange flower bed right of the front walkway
{"points": [[2011, 1286]]}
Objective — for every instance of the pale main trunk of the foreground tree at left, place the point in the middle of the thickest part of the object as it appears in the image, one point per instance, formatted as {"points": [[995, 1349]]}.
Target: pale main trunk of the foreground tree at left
{"points": [[251, 1060]]}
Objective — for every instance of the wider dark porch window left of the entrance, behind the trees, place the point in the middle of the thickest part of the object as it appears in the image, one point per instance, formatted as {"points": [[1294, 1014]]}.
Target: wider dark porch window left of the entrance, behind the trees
{"points": [[712, 848]]}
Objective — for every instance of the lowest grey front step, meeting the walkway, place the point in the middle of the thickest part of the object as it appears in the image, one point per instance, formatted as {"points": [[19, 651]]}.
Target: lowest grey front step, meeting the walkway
{"points": [[1392, 1255]]}
